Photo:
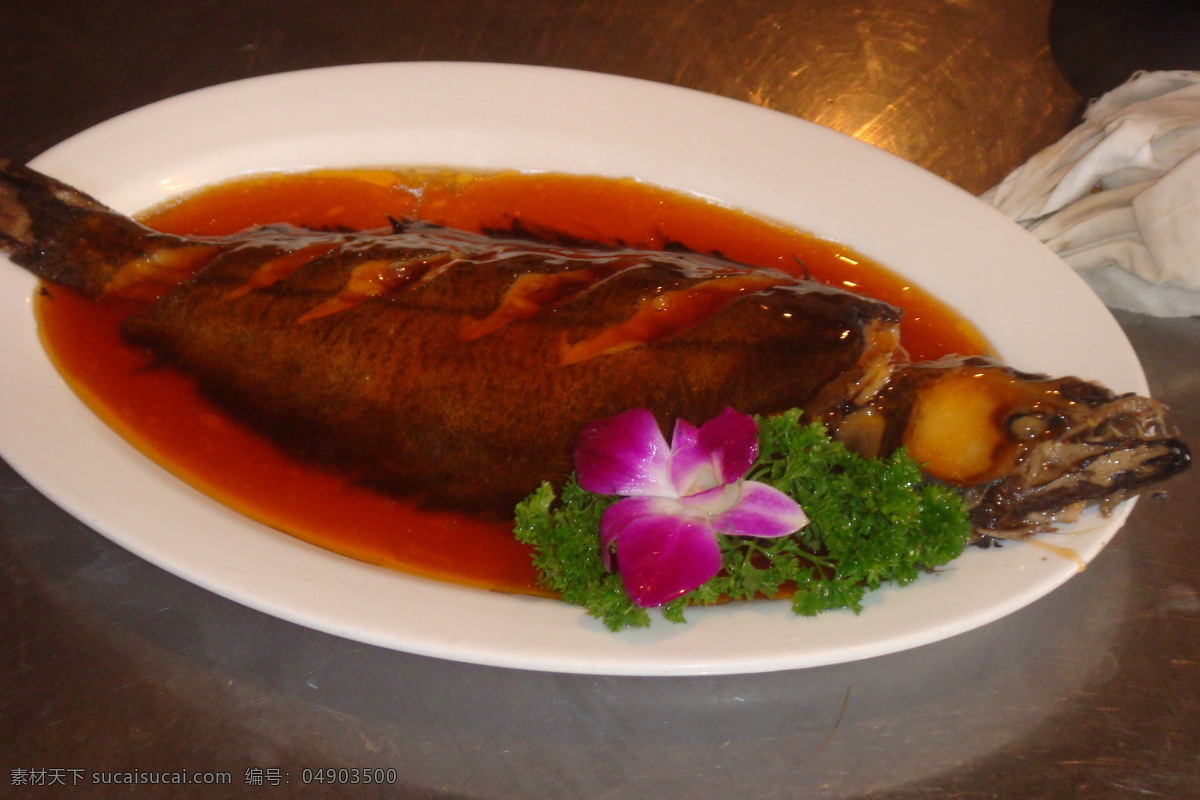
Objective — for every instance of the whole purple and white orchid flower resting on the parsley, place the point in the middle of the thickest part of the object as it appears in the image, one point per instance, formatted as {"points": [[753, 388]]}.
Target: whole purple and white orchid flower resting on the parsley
{"points": [[677, 498]]}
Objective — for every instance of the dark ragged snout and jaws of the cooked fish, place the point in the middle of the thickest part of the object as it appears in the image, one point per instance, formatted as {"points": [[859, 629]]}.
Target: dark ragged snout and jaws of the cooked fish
{"points": [[1103, 453]]}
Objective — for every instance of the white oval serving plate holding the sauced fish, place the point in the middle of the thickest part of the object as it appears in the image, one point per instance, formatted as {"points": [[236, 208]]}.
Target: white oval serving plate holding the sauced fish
{"points": [[1036, 311]]}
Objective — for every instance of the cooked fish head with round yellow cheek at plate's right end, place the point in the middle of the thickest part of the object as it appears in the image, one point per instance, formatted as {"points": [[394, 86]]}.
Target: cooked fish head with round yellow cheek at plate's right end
{"points": [[1028, 452]]}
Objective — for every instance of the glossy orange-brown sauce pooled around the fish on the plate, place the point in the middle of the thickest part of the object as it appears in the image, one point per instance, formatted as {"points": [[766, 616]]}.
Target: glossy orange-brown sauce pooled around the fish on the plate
{"points": [[160, 412]]}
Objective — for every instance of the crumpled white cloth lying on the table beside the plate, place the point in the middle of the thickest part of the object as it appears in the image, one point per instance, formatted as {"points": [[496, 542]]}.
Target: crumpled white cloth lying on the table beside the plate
{"points": [[1119, 197]]}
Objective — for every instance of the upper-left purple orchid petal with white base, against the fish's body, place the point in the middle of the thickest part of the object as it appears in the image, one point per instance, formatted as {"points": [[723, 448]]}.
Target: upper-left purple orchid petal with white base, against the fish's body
{"points": [[626, 454]]}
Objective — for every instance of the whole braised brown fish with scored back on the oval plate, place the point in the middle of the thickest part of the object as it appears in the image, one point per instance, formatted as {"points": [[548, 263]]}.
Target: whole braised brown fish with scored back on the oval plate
{"points": [[461, 368]]}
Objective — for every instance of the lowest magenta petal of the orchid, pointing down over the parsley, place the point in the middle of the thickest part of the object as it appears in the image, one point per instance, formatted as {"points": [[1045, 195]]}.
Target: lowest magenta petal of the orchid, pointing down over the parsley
{"points": [[663, 556]]}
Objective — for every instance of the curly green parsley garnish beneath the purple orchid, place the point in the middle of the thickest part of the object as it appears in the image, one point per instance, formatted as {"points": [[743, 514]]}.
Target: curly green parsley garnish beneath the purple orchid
{"points": [[873, 522]]}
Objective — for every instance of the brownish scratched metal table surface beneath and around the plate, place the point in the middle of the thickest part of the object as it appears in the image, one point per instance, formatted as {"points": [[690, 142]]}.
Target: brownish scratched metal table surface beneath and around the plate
{"points": [[110, 665]]}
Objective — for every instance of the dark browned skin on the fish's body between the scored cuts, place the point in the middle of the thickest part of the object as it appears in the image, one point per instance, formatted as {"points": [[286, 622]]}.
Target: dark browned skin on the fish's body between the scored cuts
{"points": [[392, 392]]}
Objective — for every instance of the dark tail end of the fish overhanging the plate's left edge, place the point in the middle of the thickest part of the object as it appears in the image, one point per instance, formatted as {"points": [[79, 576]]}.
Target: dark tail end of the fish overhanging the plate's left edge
{"points": [[69, 238]]}
